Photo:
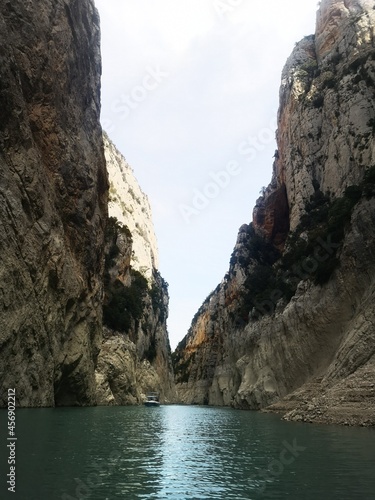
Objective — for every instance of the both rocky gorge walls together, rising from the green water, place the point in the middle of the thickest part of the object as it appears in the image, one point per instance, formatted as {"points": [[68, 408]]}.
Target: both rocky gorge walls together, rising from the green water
{"points": [[83, 307]]}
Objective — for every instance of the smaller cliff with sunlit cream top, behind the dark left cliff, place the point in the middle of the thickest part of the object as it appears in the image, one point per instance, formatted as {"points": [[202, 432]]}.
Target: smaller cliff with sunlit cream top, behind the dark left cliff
{"points": [[135, 357]]}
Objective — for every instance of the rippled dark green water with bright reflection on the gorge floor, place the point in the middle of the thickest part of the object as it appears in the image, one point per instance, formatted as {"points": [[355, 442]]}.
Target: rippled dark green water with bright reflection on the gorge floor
{"points": [[180, 452]]}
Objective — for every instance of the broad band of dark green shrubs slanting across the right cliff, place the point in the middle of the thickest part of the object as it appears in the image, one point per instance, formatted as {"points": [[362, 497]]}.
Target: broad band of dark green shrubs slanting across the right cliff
{"points": [[324, 223]]}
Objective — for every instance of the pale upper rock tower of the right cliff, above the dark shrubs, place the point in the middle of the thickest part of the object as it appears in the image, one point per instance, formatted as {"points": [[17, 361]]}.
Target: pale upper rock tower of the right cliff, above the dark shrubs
{"points": [[325, 134]]}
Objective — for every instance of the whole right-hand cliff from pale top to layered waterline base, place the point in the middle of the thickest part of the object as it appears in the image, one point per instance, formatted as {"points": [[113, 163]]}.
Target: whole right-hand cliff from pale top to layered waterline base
{"points": [[291, 326]]}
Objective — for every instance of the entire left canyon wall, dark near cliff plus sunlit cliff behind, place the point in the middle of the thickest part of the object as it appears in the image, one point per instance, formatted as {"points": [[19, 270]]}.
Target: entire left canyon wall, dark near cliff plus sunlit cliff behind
{"points": [[70, 246]]}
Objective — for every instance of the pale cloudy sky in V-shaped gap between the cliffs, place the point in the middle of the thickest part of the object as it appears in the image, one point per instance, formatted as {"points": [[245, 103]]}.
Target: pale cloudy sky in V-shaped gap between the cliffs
{"points": [[190, 93]]}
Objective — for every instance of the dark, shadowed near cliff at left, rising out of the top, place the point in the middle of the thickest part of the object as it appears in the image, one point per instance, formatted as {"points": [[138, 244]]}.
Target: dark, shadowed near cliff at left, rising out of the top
{"points": [[53, 201]]}
